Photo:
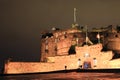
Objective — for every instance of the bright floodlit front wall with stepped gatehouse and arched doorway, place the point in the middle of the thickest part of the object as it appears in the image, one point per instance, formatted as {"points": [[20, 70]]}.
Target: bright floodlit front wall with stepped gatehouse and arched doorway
{"points": [[85, 54]]}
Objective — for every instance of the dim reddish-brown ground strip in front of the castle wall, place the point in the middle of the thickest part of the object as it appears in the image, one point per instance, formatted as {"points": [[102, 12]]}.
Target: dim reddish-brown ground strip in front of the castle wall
{"points": [[65, 76]]}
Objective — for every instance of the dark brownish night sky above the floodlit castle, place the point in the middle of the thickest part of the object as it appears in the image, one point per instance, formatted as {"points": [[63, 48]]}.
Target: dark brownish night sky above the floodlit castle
{"points": [[22, 21]]}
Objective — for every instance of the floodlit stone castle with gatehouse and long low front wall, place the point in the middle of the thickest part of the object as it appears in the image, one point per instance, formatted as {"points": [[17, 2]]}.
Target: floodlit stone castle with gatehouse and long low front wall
{"points": [[66, 49]]}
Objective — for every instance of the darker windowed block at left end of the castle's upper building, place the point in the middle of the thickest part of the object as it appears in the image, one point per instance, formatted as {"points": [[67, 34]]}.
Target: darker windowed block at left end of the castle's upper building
{"points": [[48, 46]]}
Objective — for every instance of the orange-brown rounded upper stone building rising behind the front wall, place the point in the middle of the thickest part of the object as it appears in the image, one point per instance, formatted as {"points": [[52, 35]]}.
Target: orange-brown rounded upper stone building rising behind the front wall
{"points": [[59, 42]]}
